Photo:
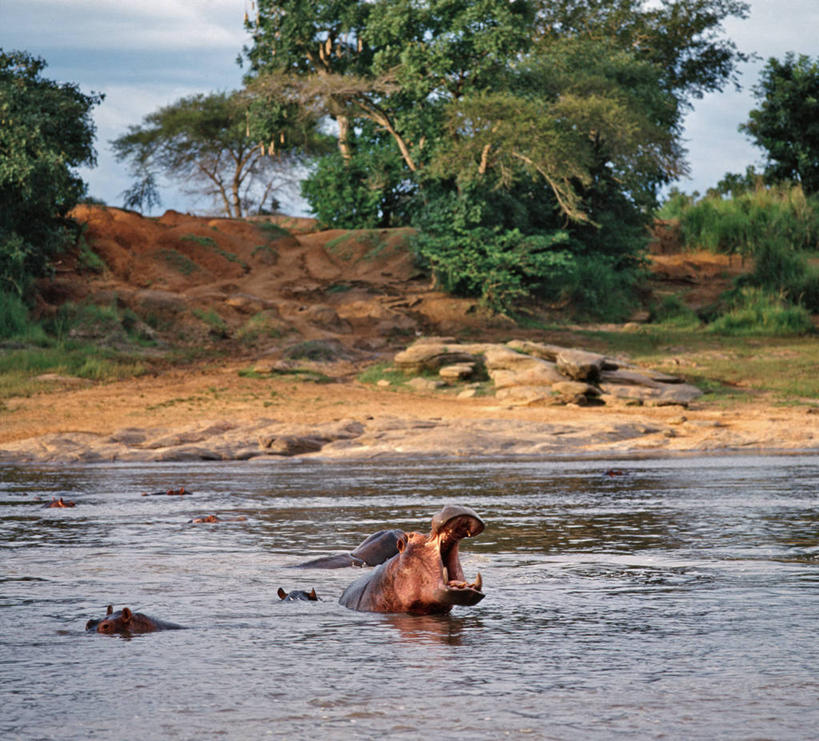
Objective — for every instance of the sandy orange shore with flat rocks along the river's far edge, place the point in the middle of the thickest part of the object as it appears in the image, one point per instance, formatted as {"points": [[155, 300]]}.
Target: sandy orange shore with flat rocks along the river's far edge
{"points": [[211, 412]]}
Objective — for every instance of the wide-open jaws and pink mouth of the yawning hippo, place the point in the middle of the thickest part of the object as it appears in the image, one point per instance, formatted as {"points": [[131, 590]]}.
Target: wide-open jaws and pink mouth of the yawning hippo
{"points": [[452, 525]]}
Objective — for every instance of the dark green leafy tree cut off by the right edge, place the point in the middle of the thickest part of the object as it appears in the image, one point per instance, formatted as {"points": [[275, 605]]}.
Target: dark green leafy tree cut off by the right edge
{"points": [[786, 123]]}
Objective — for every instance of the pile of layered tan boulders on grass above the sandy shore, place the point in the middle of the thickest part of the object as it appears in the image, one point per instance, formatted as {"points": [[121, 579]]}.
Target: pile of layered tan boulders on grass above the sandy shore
{"points": [[526, 372]]}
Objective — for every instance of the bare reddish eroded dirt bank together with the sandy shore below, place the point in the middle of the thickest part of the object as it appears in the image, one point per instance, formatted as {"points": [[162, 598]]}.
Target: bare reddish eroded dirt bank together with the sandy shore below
{"points": [[259, 291]]}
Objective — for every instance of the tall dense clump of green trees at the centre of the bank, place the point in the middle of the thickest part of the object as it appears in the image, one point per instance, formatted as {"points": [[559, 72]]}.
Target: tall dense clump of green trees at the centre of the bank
{"points": [[531, 137]]}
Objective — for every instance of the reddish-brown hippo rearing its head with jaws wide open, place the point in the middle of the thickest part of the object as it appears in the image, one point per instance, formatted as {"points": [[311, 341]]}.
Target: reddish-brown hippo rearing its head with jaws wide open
{"points": [[425, 576]]}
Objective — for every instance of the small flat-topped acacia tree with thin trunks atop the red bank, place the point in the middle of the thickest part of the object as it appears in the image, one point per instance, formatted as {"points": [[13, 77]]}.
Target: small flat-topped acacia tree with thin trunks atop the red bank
{"points": [[227, 146]]}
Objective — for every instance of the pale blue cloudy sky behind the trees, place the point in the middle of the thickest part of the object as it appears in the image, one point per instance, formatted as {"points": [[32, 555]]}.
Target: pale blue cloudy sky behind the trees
{"points": [[145, 54]]}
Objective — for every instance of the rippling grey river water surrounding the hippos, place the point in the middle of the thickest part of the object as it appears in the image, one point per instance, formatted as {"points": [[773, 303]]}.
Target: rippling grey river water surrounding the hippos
{"points": [[677, 599]]}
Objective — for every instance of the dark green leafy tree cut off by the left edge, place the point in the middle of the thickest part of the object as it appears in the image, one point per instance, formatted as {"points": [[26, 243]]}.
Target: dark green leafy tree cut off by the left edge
{"points": [[46, 132]]}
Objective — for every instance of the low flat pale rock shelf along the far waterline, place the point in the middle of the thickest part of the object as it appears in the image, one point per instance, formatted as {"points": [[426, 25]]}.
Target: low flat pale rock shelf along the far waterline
{"points": [[385, 436]]}
